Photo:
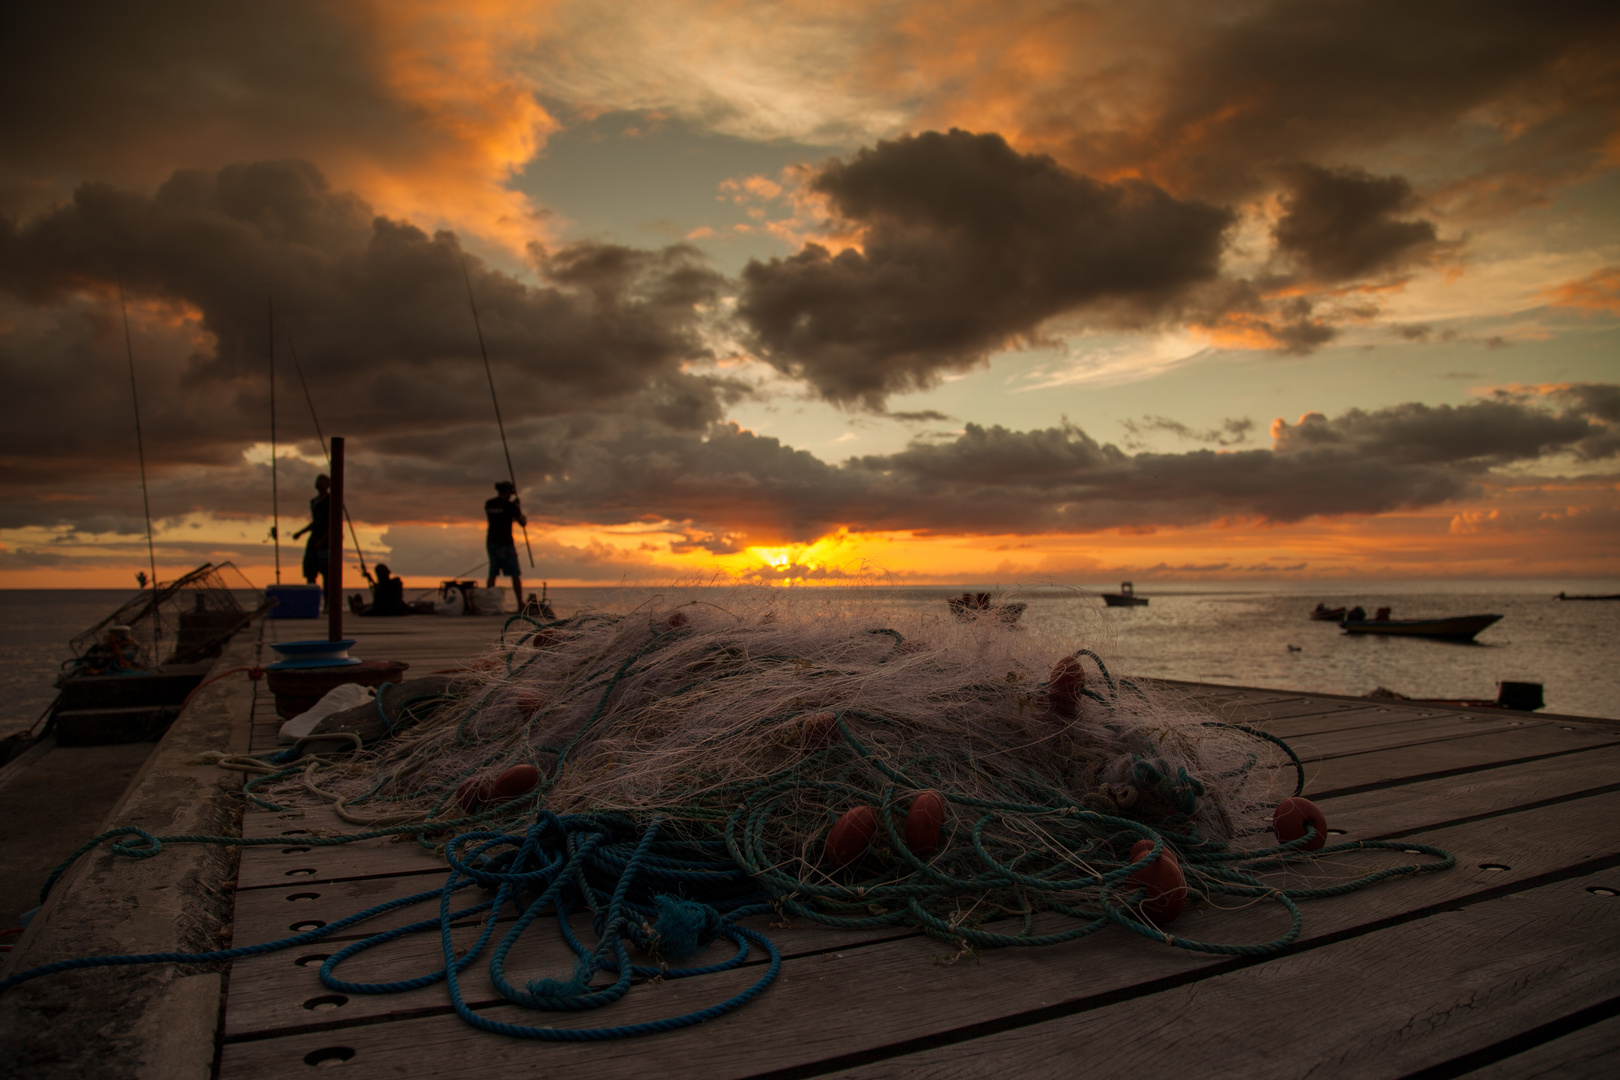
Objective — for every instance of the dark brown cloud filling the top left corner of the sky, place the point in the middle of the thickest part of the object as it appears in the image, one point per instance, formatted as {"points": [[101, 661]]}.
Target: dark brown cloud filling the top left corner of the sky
{"points": [[119, 90]]}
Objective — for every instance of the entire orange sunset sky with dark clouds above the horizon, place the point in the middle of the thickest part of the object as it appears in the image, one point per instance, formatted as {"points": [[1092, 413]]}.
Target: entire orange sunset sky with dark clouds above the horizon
{"points": [[950, 292]]}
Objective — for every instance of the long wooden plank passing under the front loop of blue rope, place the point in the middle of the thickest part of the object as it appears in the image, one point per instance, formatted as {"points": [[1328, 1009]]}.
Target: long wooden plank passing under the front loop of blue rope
{"points": [[850, 1003]]}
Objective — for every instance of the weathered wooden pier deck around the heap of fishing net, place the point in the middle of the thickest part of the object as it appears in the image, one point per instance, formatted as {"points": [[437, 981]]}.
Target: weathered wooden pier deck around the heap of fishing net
{"points": [[1507, 966]]}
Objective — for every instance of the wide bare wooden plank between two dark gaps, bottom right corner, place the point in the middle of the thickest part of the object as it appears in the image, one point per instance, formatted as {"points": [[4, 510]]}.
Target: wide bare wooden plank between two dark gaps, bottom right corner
{"points": [[1486, 972]]}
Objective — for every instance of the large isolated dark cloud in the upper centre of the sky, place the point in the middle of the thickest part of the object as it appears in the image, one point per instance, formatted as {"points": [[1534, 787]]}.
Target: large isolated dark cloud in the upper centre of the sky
{"points": [[968, 245]]}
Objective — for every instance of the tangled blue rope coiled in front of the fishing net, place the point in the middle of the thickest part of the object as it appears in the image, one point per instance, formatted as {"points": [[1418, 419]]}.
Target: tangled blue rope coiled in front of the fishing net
{"points": [[667, 898]]}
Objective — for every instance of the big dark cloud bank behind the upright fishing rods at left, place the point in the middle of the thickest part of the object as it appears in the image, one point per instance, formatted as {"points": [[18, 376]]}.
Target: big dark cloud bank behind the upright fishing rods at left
{"points": [[377, 308]]}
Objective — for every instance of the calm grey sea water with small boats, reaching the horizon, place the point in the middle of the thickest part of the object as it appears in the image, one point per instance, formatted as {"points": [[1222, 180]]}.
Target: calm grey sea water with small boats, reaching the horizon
{"points": [[1219, 634]]}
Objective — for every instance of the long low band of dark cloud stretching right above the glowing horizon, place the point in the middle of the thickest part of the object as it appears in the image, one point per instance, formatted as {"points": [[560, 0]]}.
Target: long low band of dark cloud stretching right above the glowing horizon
{"points": [[735, 487]]}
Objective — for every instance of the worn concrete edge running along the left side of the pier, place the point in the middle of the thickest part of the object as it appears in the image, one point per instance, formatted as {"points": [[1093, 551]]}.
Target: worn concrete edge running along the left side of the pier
{"points": [[147, 1021]]}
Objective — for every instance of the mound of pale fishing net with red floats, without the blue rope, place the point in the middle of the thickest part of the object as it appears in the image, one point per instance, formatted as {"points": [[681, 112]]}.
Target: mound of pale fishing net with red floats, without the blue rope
{"points": [[863, 765]]}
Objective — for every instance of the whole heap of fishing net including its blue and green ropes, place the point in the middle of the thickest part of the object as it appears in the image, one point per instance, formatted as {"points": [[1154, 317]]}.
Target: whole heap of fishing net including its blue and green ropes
{"points": [[680, 765]]}
